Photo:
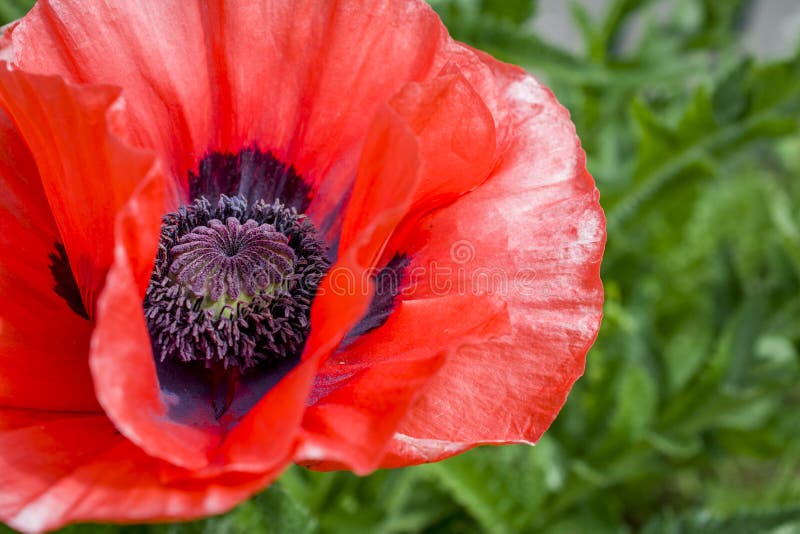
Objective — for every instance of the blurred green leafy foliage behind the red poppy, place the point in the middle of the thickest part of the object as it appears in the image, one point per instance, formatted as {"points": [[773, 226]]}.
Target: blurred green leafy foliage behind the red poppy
{"points": [[687, 417]]}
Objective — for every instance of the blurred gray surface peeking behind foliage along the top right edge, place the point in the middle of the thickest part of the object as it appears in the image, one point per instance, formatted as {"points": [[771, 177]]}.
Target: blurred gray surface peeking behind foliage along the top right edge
{"points": [[771, 29]]}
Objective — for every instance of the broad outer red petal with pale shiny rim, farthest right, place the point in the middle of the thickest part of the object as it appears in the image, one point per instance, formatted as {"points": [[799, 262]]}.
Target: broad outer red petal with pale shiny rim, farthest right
{"points": [[538, 225]]}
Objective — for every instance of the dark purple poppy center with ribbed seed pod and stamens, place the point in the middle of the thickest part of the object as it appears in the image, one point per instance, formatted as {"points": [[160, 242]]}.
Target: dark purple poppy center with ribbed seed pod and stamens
{"points": [[236, 294]]}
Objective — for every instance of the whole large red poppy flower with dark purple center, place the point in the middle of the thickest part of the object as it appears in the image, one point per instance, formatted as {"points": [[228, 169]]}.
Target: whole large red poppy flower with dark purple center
{"points": [[239, 234]]}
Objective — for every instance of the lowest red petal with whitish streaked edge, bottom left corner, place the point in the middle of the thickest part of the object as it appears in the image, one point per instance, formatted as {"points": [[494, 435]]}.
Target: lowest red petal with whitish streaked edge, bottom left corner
{"points": [[66, 468]]}
